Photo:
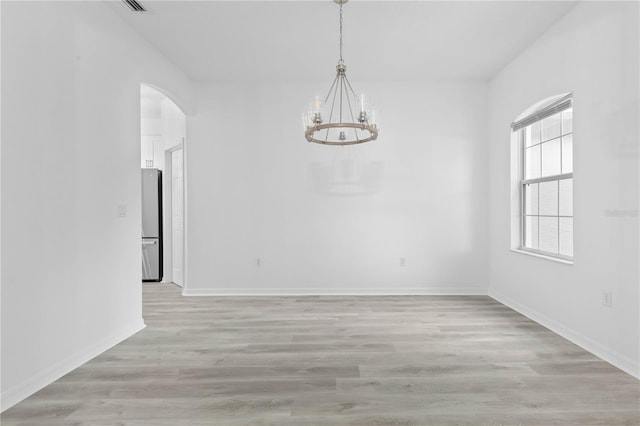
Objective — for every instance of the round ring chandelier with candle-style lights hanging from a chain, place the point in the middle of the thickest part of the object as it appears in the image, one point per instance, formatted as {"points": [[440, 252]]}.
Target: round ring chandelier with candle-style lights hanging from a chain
{"points": [[342, 117]]}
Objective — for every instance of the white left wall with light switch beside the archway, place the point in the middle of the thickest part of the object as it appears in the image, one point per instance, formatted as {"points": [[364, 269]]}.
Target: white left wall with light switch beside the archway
{"points": [[71, 75]]}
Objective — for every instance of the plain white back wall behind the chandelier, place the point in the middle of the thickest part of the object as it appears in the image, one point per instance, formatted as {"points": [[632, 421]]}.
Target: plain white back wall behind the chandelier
{"points": [[337, 220]]}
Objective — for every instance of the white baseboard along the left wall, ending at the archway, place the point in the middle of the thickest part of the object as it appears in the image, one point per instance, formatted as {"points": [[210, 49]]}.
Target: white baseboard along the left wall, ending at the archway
{"points": [[47, 376]]}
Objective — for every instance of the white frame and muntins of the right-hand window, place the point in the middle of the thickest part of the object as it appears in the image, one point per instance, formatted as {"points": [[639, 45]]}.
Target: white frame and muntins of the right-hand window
{"points": [[560, 104]]}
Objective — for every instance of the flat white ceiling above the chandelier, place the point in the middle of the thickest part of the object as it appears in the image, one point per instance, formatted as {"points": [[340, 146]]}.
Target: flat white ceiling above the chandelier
{"points": [[383, 40]]}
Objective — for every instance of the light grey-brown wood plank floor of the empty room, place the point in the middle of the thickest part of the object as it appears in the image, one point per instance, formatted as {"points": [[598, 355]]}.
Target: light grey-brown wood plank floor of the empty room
{"points": [[408, 360]]}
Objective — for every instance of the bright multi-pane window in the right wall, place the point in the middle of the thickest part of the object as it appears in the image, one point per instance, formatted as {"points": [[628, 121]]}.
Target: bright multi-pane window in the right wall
{"points": [[545, 140]]}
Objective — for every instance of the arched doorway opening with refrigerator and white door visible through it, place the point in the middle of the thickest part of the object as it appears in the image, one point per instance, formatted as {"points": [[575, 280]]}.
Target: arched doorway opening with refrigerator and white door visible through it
{"points": [[162, 151]]}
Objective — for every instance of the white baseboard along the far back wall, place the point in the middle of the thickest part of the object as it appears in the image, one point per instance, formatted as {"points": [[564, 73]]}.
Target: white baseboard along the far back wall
{"points": [[340, 291]]}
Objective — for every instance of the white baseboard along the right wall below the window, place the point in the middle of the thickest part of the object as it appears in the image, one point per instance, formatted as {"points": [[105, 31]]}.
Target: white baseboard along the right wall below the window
{"points": [[616, 359]]}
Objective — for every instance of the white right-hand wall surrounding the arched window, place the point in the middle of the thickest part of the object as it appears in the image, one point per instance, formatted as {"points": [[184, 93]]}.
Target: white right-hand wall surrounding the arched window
{"points": [[592, 52]]}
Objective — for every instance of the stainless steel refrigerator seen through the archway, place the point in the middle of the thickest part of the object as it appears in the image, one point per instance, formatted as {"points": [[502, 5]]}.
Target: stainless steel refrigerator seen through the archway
{"points": [[151, 225]]}
